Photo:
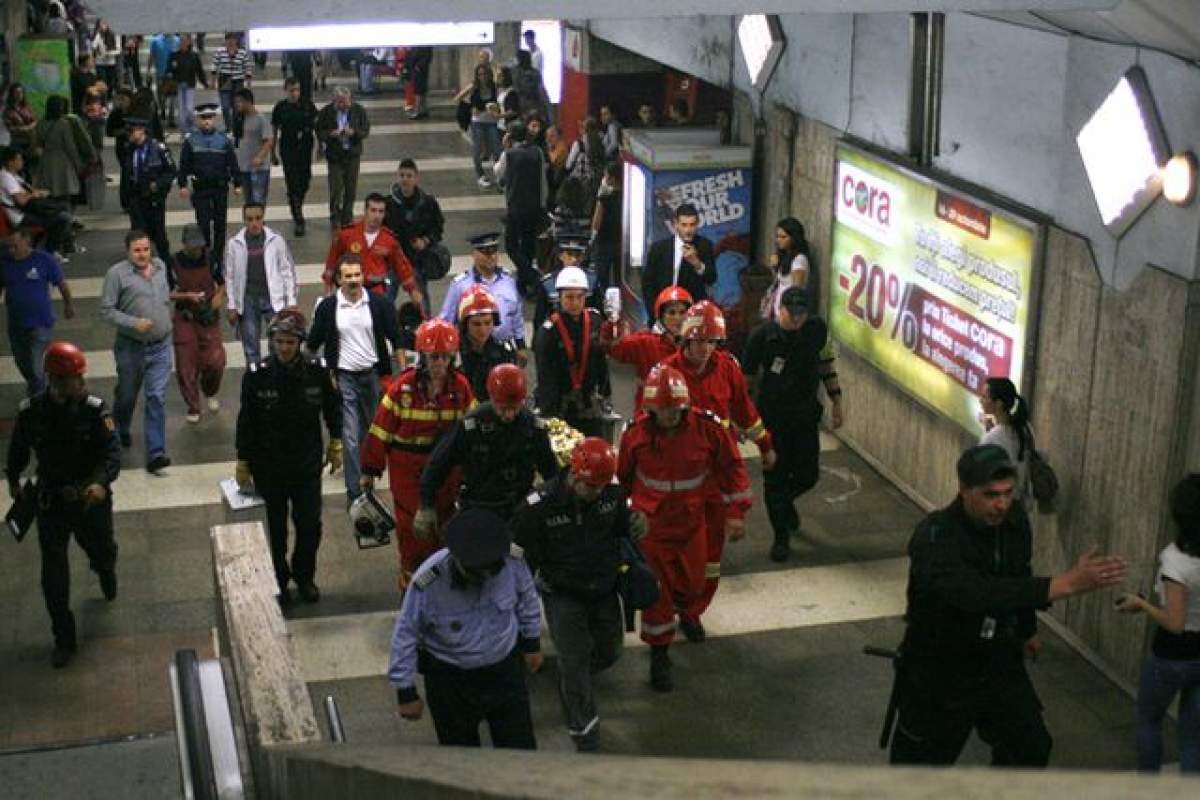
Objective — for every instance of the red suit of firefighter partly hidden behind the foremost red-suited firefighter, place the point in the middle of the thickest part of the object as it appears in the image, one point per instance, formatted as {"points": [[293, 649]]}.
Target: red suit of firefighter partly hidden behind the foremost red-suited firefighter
{"points": [[719, 388]]}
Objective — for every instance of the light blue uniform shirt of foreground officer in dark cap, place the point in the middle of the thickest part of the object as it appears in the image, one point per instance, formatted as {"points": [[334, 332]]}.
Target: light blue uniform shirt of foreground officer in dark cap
{"points": [[467, 628]]}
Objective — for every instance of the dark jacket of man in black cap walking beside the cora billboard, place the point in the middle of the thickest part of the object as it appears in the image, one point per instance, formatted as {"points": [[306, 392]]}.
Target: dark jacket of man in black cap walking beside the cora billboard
{"points": [[788, 363]]}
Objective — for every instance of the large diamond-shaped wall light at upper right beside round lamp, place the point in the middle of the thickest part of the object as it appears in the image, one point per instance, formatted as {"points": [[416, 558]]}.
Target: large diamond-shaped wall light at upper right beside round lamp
{"points": [[1124, 148]]}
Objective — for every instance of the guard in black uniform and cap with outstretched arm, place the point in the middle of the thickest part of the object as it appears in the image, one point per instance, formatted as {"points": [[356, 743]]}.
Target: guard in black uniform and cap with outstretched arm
{"points": [[971, 622]]}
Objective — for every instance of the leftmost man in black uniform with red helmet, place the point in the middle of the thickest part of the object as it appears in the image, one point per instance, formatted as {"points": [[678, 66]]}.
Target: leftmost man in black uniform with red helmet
{"points": [[79, 458]]}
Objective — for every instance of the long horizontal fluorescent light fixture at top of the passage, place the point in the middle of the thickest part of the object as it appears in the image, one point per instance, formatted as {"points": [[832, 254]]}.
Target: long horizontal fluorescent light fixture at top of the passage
{"points": [[363, 35]]}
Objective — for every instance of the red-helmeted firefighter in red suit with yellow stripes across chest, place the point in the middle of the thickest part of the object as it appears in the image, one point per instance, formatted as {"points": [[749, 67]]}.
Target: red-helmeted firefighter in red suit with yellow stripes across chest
{"points": [[423, 404]]}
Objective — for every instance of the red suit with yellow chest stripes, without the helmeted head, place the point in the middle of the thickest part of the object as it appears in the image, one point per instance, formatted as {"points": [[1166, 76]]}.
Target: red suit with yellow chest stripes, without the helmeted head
{"points": [[406, 428]]}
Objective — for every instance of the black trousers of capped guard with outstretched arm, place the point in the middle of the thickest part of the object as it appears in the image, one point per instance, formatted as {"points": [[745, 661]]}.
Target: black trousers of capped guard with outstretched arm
{"points": [[943, 701]]}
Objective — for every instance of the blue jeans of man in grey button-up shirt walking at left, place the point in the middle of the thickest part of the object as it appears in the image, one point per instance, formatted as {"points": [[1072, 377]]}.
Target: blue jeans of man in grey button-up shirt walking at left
{"points": [[143, 365]]}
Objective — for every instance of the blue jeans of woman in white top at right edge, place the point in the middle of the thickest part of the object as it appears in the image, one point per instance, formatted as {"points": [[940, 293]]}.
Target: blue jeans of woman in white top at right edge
{"points": [[1161, 681]]}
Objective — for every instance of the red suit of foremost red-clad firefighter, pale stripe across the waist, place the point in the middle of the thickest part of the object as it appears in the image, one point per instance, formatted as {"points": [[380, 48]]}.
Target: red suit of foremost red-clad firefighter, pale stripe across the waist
{"points": [[668, 478]]}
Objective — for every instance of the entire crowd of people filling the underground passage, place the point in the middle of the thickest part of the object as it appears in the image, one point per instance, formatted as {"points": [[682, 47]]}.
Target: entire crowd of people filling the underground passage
{"points": [[465, 435]]}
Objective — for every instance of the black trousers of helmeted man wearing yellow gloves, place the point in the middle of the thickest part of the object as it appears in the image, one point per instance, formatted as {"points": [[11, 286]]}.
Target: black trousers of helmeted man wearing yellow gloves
{"points": [[303, 495]]}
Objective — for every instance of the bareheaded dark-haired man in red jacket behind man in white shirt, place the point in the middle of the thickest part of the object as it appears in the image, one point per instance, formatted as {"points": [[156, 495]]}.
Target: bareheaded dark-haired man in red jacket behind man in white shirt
{"points": [[385, 266]]}
